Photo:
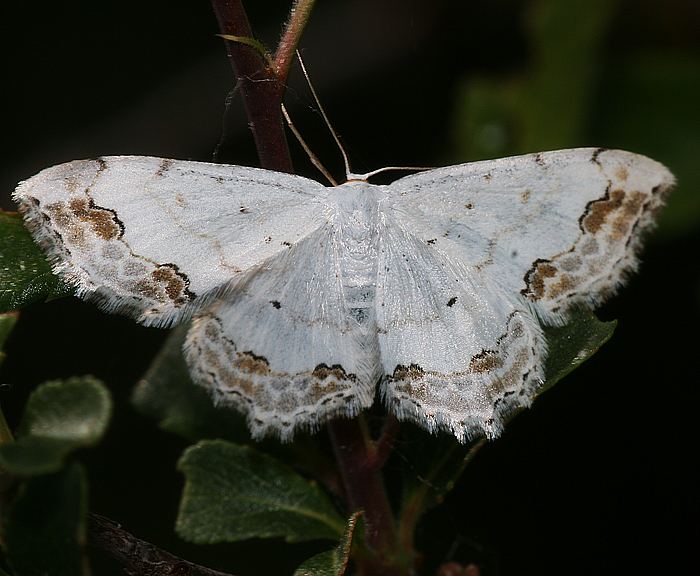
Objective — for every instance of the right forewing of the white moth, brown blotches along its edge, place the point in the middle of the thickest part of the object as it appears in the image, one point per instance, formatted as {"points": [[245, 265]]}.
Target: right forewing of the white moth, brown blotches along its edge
{"points": [[557, 228]]}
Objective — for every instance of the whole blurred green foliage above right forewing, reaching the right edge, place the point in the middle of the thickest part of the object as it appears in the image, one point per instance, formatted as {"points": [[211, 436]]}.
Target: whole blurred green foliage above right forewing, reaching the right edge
{"points": [[570, 95]]}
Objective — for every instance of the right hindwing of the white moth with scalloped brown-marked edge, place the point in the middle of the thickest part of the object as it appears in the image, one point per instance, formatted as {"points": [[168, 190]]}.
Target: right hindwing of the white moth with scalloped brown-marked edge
{"points": [[458, 353]]}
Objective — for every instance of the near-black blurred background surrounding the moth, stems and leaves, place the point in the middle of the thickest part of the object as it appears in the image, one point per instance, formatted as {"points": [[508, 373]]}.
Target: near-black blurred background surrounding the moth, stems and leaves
{"points": [[599, 477]]}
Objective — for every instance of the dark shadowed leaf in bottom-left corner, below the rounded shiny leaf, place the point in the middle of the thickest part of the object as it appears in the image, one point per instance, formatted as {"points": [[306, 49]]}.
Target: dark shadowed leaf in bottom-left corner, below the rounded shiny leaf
{"points": [[44, 527]]}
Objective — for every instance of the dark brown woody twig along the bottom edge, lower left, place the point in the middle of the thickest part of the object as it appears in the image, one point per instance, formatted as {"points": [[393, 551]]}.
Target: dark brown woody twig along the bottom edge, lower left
{"points": [[137, 557]]}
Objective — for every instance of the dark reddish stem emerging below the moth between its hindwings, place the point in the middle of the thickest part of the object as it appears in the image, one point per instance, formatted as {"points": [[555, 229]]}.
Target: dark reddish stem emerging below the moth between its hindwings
{"points": [[364, 486]]}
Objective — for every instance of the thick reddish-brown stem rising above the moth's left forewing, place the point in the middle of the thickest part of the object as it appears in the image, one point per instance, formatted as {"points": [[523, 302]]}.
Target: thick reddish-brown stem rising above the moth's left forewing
{"points": [[260, 87]]}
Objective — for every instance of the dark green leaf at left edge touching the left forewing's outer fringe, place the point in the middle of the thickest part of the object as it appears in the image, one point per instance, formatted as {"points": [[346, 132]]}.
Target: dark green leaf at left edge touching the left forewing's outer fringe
{"points": [[25, 274]]}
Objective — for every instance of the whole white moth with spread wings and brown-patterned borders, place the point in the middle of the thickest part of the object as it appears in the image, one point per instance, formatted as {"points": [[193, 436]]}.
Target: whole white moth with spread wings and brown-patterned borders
{"points": [[304, 298]]}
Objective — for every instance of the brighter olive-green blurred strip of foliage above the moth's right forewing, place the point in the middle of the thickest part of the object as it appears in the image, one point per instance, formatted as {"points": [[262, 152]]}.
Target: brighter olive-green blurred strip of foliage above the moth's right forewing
{"points": [[545, 107]]}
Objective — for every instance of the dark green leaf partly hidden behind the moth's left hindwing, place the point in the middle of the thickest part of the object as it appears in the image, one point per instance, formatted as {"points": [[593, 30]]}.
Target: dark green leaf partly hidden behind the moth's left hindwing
{"points": [[167, 394]]}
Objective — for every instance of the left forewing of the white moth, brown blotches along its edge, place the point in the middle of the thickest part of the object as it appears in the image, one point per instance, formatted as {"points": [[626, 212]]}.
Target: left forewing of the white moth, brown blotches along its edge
{"points": [[156, 238]]}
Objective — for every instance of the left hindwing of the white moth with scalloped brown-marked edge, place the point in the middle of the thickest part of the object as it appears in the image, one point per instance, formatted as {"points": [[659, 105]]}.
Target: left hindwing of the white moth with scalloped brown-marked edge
{"points": [[282, 344]]}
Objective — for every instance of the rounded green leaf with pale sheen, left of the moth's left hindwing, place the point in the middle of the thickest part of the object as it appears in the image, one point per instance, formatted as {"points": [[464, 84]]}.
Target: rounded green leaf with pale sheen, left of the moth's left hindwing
{"points": [[60, 417]]}
